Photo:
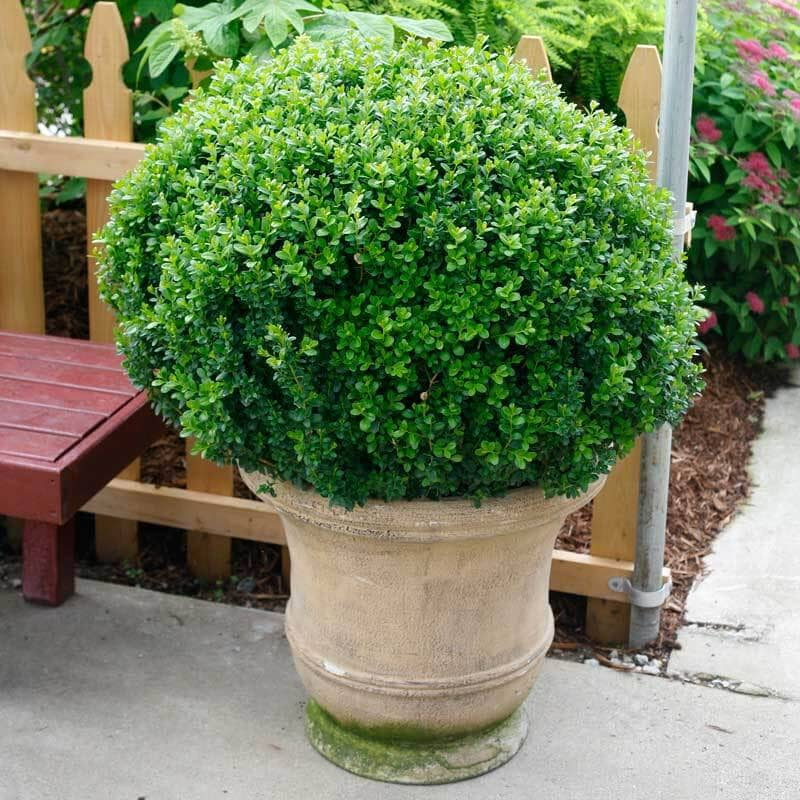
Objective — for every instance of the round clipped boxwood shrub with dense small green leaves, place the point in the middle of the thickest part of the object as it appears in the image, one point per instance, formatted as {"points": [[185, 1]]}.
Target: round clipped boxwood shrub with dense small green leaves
{"points": [[400, 274]]}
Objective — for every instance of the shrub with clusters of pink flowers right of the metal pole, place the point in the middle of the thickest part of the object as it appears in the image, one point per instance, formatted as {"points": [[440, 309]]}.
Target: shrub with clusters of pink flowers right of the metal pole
{"points": [[745, 176]]}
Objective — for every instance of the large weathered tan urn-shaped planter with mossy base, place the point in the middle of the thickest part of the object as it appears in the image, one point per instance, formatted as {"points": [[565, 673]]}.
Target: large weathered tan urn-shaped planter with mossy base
{"points": [[418, 627]]}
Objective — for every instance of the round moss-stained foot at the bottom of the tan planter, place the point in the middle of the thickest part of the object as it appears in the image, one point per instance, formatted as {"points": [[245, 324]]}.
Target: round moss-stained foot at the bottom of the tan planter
{"points": [[415, 762]]}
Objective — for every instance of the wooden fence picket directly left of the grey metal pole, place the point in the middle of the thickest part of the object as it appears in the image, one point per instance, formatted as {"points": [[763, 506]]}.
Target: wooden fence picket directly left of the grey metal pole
{"points": [[615, 509]]}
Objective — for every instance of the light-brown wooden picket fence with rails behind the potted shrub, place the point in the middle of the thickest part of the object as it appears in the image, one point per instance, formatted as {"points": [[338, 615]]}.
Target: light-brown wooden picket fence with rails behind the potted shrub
{"points": [[206, 508]]}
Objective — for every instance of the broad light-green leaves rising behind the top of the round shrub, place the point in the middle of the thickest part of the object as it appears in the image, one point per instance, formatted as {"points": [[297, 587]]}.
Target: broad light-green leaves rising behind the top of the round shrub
{"points": [[235, 28]]}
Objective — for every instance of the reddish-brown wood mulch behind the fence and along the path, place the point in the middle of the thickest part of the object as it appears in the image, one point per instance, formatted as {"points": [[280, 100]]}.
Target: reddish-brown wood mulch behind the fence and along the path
{"points": [[708, 482]]}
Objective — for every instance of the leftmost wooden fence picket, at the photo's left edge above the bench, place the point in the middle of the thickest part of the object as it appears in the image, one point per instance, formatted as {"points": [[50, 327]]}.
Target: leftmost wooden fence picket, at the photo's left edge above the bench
{"points": [[21, 283]]}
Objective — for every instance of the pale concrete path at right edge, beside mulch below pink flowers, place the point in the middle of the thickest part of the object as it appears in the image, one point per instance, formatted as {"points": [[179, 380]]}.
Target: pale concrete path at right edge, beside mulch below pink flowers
{"points": [[744, 615]]}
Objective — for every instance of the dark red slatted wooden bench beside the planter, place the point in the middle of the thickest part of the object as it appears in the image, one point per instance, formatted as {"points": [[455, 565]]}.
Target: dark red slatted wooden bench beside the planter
{"points": [[70, 420]]}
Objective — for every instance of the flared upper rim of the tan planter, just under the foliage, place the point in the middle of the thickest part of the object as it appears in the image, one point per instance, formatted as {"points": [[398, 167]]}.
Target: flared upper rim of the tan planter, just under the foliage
{"points": [[421, 518]]}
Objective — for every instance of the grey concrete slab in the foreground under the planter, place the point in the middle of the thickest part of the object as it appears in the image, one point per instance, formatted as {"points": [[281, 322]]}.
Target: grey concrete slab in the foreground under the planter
{"points": [[123, 694]]}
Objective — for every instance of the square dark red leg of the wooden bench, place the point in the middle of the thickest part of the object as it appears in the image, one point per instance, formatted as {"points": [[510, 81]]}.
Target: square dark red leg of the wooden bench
{"points": [[48, 562]]}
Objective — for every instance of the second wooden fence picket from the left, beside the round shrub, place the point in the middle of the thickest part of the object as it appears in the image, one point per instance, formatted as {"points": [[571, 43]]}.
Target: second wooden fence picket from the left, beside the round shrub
{"points": [[107, 114]]}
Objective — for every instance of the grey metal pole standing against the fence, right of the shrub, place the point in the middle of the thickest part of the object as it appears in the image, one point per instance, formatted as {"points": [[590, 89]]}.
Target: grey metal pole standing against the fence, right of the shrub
{"points": [[673, 170]]}
